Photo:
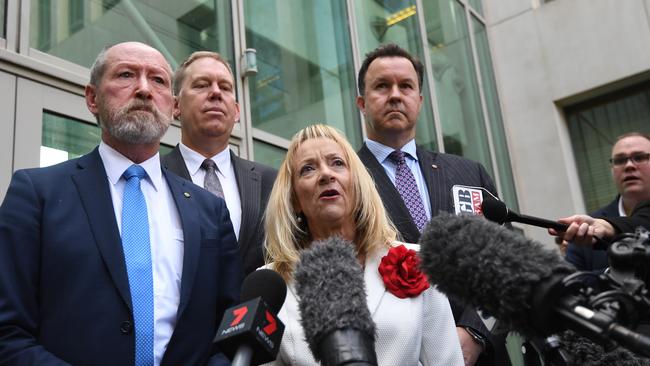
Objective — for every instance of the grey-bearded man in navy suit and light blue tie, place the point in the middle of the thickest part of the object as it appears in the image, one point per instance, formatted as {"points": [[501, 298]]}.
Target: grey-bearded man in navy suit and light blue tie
{"points": [[110, 259]]}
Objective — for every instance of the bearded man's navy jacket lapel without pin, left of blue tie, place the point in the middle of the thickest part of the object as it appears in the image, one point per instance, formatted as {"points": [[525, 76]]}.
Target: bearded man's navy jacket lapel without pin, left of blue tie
{"points": [[94, 192]]}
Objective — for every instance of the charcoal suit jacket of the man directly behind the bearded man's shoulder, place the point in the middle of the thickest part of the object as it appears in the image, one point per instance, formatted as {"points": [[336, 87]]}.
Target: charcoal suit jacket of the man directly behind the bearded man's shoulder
{"points": [[254, 182]]}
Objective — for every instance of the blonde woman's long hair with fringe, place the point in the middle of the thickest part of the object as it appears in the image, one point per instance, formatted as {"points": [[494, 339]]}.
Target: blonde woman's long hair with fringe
{"points": [[285, 236]]}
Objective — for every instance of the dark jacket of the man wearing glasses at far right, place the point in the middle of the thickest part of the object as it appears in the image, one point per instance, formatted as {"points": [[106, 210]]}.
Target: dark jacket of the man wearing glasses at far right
{"points": [[584, 257]]}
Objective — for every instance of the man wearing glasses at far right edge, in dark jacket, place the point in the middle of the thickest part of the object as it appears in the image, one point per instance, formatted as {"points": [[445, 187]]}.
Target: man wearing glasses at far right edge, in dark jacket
{"points": [[631, 172]]}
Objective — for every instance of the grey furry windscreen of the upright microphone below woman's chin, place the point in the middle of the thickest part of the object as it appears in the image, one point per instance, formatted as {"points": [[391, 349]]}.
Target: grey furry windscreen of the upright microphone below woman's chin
{"points": [[330, 285]]}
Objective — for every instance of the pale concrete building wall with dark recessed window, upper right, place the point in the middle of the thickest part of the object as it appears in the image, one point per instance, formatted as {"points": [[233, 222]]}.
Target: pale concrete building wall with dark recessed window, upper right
{"points": [[572, 75]]}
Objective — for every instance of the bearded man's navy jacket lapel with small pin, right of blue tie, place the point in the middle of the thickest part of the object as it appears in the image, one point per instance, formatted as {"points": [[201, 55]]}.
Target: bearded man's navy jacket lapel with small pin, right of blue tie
{"points": [[191, 236]]}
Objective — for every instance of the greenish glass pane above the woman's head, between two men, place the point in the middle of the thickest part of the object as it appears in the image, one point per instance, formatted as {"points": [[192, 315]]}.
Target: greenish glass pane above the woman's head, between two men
{"points": [[305, 66]]}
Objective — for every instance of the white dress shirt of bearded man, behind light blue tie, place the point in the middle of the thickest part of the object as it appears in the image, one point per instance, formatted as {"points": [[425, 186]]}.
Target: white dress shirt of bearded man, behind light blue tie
{"points": [[165, 233]]}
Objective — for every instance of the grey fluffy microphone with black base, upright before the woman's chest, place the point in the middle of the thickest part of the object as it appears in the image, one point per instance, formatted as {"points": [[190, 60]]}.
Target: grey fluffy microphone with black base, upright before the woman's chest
{"points": [[332, 303]]}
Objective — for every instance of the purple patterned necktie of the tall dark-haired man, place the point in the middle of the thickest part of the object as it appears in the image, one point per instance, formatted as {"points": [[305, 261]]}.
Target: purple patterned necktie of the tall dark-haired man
{"points": [[408, 189]]}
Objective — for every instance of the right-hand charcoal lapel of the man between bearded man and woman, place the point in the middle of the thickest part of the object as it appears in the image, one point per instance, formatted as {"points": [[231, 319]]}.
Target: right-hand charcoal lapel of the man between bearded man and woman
{"points": [[249, 184]]}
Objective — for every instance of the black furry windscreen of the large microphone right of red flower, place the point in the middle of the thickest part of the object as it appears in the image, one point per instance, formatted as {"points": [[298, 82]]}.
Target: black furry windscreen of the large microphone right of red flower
{"points": [[492, 268]]}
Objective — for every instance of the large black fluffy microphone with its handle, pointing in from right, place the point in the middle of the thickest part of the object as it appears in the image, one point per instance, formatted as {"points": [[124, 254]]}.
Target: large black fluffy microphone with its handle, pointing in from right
{"points": [[513, 279]]}
